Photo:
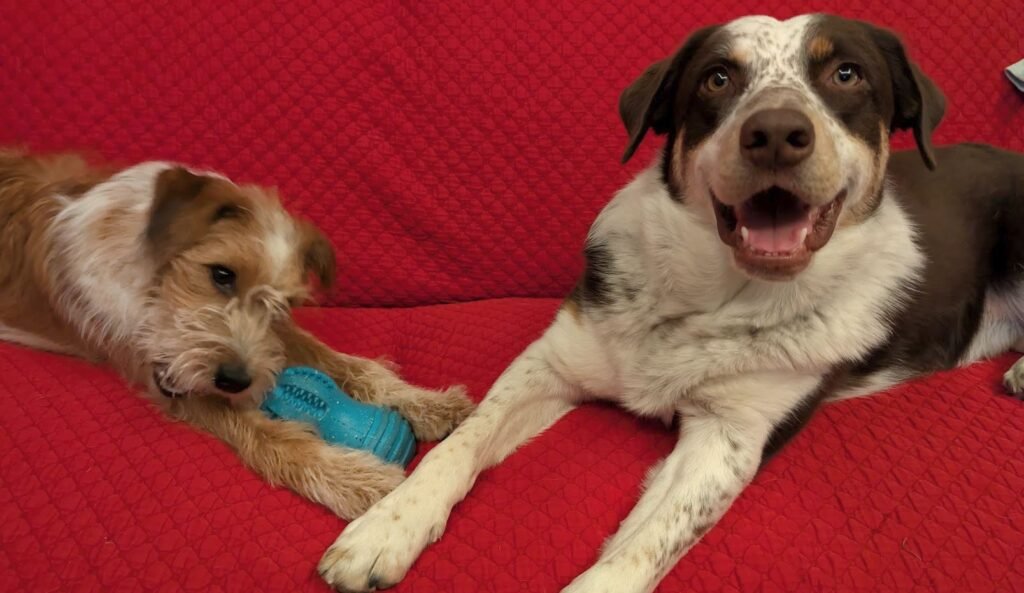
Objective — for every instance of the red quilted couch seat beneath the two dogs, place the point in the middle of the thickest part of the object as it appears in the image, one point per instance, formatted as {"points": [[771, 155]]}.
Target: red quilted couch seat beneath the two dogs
{"points": [[916, 490]]}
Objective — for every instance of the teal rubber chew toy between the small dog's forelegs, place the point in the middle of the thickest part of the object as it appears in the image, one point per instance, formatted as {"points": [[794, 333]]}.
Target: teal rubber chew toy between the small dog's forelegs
{"points": [[309, 396]]}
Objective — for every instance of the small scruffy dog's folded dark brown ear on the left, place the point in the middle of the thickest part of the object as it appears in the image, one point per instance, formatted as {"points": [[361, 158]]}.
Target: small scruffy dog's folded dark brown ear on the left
{"points": [[185, 206]]}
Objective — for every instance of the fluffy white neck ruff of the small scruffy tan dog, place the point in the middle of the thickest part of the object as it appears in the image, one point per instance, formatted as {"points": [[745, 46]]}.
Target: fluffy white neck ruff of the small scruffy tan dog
{"points": [[99, 263]]}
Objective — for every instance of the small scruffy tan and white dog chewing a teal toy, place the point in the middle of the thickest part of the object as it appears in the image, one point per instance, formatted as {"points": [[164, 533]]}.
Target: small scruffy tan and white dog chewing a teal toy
{"points": [[184, 282]]}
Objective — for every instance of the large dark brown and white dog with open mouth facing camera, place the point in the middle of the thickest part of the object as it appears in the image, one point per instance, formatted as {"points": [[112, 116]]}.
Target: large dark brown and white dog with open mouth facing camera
{"points": [[774, 257]]}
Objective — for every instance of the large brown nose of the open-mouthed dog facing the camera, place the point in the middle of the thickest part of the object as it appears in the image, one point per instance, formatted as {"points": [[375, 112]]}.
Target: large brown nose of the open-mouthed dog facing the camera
{"points": [[777, 139]]}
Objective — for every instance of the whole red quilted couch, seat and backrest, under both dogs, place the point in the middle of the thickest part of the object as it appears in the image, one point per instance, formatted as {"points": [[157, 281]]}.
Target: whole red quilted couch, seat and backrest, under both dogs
{"points": [[457, 155]]}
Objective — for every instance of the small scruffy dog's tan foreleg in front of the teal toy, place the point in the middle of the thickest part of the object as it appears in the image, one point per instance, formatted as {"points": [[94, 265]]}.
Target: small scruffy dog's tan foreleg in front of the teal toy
{"points": [[289, 454]]}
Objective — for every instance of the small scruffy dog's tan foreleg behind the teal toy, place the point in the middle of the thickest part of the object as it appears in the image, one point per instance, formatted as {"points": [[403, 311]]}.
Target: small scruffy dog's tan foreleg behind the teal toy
{"points": [[433, 414]]}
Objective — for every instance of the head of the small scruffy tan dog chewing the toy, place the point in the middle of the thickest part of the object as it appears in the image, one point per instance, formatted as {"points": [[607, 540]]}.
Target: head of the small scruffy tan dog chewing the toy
{"points": [[230, 264]]}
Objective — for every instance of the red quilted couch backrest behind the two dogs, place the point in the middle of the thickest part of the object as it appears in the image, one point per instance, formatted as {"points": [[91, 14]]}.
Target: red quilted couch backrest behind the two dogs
{"points": [[453, 151]]}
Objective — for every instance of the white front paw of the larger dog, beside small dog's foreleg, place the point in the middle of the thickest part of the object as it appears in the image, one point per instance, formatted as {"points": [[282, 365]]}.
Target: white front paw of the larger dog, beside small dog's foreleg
{"points": [[376, 550]]}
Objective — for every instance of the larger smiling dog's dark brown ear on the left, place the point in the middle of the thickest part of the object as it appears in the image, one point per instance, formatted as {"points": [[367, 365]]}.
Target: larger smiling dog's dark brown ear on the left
{"points": [[647, 104]]}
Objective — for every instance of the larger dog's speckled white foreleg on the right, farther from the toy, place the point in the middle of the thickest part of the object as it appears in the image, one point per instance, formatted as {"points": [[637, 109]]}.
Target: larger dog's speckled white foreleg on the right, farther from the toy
{"points": [[718, 453]]}
